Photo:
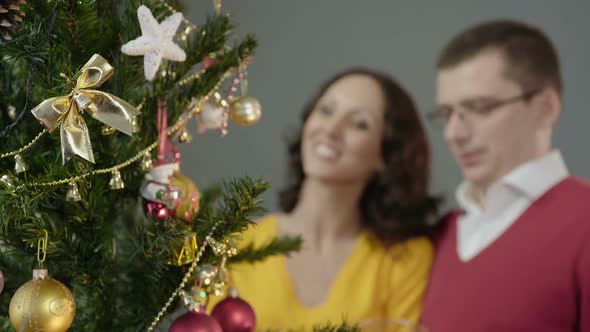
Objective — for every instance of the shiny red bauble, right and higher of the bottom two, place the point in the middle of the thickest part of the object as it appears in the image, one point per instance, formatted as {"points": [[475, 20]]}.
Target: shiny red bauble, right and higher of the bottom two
{"points": [[235, 315]]}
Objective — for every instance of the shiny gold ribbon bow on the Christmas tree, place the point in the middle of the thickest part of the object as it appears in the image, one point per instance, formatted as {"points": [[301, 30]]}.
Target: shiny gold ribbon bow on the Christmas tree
{"points": [[66, 110]]}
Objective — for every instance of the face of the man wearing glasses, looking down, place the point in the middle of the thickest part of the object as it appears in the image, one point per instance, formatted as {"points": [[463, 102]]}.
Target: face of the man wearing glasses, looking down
{"points": [[491, 126]]}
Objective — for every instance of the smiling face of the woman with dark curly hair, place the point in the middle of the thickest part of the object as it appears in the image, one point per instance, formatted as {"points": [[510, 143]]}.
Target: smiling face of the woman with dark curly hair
{"points": [[342, 136]]}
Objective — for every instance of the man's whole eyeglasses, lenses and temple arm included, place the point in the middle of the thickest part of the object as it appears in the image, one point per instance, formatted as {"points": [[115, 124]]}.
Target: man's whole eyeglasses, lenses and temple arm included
{"points": [[474, 109]]}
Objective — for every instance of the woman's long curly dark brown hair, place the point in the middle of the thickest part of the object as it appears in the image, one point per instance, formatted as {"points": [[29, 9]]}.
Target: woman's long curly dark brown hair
{"points": [[395, 205]]}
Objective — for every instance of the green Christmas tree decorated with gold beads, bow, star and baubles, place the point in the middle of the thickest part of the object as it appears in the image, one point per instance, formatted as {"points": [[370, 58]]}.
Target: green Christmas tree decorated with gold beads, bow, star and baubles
{"points": [[94, 97]]}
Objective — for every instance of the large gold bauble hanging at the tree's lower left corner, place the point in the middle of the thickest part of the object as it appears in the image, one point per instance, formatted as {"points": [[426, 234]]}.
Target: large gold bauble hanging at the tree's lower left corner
{"points": [[42, 304]]}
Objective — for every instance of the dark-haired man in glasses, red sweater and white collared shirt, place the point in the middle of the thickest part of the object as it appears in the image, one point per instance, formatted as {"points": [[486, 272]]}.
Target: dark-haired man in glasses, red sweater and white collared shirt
{"points": [[517, 257]]}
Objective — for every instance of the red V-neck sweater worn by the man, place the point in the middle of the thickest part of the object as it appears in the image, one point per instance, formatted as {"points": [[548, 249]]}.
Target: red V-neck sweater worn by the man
{"points": [[535, 277]]}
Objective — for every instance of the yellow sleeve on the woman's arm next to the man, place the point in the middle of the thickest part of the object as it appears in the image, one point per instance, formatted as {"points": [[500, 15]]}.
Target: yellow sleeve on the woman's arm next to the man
{"points": [[409, 277]]}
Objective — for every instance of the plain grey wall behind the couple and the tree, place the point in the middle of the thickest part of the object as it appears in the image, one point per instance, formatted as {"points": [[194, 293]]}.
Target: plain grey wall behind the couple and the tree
{"points": [[303, 42]]}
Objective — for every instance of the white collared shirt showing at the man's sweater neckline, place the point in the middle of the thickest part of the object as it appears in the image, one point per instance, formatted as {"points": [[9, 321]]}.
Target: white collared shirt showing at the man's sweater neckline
{"points": [[504, 202]]}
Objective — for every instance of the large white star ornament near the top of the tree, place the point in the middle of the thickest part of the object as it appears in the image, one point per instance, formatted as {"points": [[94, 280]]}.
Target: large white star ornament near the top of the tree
{"points": [[156, 42]]}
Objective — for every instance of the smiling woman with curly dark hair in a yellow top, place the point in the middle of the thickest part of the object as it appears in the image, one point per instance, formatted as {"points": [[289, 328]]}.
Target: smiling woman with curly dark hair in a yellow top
{"points": [[359, 199]]}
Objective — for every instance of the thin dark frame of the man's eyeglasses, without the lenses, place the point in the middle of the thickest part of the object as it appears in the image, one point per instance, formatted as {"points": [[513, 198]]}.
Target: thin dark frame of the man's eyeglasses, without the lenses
{"points": [[441, 118]]}
